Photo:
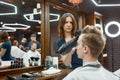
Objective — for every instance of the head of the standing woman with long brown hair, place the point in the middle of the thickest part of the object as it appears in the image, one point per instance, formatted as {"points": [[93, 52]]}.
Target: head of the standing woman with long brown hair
{"points": [[67, 20]]}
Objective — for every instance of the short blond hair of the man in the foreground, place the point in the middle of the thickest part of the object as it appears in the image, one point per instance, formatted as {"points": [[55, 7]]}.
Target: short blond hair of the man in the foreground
{"points": [[94, 39]]}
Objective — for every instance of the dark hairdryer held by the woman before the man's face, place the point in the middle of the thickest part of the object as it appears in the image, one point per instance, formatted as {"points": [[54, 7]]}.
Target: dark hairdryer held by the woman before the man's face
{"points": [[65, 48]]}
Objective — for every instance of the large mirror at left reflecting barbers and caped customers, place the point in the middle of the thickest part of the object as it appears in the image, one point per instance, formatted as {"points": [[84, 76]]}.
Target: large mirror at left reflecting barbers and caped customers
{"points": [[20, 34]]}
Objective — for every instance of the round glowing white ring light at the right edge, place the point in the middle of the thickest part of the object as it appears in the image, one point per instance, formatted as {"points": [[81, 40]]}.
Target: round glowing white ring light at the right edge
{"points": [[110, 34]]}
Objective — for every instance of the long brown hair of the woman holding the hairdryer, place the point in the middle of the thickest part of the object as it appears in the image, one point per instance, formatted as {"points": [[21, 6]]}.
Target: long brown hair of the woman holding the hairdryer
{"points": [[62, 22]]}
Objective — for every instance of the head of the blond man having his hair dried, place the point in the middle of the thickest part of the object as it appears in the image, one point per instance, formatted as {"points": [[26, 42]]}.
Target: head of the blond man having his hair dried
{"points": [[91, 42]]}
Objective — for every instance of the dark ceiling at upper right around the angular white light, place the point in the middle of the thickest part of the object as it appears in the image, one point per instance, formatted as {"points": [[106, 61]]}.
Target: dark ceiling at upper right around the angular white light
{"points": [[109, 13]]}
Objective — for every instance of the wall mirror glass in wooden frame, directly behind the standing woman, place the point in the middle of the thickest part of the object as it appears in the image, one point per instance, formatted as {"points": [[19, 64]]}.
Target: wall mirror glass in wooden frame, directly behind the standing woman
{"points": [[57, 12]]}
